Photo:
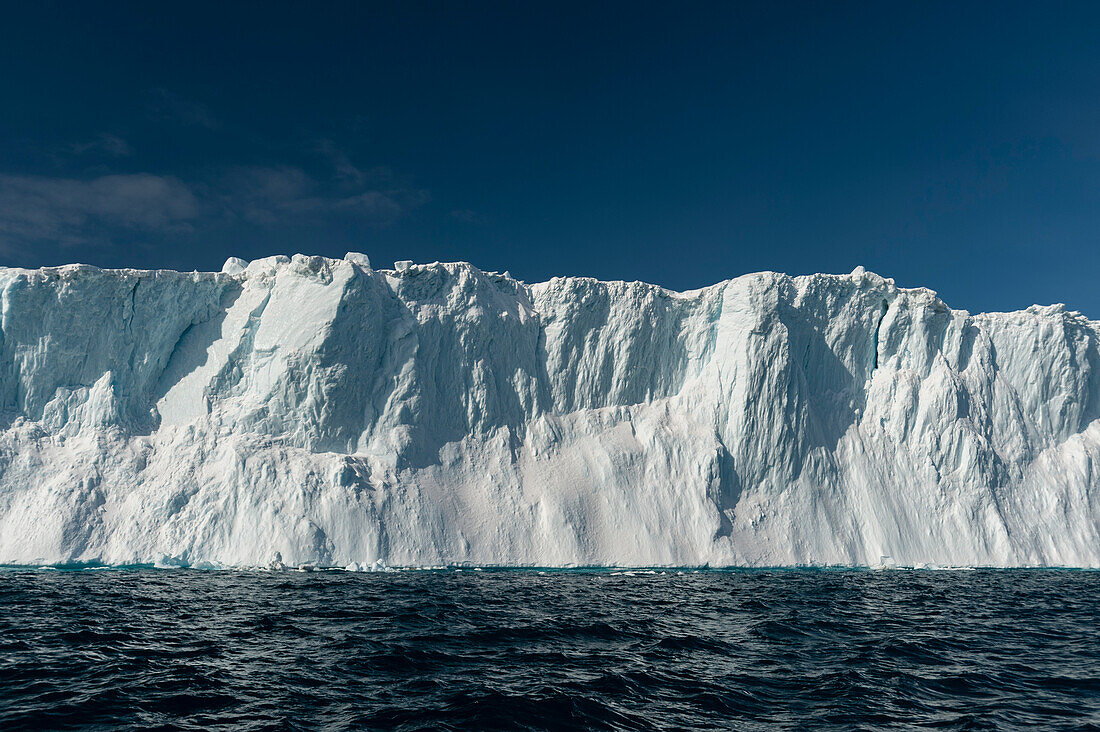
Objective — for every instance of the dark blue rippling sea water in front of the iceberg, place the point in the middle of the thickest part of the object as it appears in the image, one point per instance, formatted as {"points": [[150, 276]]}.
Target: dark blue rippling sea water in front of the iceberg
{"points": [[567, 650]]}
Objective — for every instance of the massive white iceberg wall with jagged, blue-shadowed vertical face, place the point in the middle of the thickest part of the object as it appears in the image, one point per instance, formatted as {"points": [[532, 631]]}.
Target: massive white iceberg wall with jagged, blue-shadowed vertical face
{"points": [[438, 414]]}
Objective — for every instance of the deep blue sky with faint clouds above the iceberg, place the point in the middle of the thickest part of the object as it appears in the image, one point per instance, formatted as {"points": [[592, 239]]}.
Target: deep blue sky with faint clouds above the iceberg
{"points": [[954, 146]]}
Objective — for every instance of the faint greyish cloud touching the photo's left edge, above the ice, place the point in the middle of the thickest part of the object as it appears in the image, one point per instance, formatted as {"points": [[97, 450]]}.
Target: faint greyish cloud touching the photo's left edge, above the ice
{"points": [[69, 211]]}
